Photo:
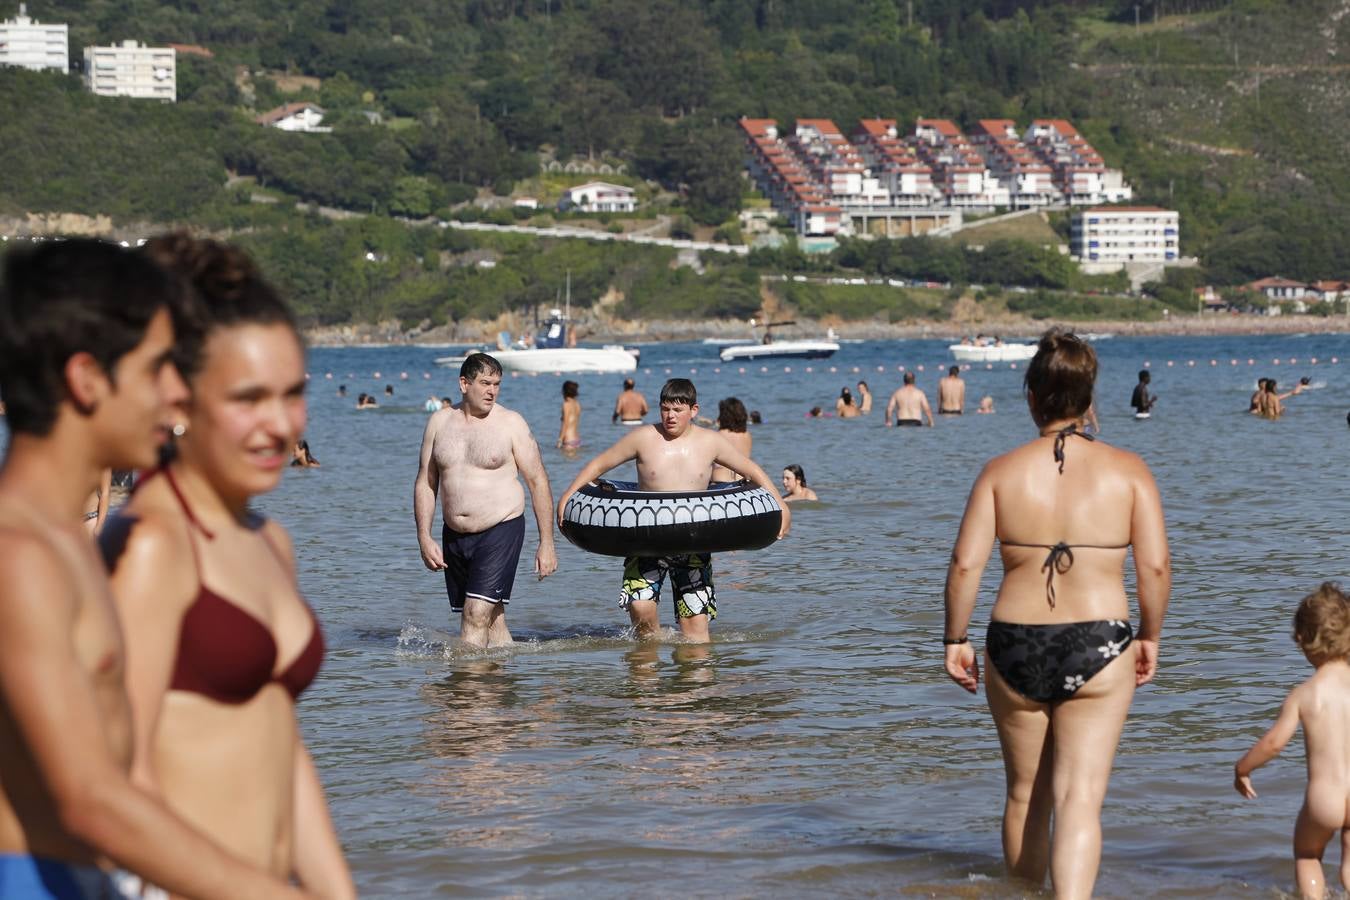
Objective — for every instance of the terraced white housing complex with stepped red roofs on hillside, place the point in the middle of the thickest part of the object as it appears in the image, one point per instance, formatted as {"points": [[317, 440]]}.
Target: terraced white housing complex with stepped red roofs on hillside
{"points": [[885, 184]]}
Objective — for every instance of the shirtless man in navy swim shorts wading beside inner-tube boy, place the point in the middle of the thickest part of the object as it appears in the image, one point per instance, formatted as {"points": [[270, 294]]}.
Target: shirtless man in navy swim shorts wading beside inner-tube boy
{"points": [[473, 454]]}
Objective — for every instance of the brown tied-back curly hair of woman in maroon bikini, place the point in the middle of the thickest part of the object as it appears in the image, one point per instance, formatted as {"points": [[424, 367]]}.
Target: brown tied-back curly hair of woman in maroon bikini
{"points": [[227, 289]]}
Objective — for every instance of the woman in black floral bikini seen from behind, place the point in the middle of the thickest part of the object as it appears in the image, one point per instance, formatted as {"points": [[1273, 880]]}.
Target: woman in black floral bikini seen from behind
{"points": [[1063, 663]]}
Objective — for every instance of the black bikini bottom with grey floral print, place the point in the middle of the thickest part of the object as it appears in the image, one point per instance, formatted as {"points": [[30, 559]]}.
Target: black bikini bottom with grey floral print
{"points": [[1050, 663]]}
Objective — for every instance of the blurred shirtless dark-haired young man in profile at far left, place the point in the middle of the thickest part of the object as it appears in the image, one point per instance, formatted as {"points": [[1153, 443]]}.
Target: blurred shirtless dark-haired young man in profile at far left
{"points": [[86, 373]]}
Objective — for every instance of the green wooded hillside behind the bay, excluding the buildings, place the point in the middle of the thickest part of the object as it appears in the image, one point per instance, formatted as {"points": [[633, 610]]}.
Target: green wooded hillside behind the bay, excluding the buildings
{"points": [[1232, 111]]}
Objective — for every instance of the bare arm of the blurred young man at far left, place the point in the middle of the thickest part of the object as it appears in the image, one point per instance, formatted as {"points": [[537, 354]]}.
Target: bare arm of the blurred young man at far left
{"points": [[52, 704]]}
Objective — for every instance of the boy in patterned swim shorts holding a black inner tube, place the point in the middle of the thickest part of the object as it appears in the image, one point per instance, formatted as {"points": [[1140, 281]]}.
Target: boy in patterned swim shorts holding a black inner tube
{"points": [[673, 455]]}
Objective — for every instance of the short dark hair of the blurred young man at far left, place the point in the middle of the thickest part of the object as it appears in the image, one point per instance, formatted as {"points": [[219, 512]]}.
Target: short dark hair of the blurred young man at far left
{"points": [[67, 298]]}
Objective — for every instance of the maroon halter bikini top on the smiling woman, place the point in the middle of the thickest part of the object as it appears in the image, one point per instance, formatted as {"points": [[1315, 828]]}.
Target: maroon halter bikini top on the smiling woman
{"points": [[226, 654]]}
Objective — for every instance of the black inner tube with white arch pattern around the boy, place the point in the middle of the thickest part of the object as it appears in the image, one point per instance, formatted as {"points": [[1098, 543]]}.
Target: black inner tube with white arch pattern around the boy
{"points": [[616, 519]]}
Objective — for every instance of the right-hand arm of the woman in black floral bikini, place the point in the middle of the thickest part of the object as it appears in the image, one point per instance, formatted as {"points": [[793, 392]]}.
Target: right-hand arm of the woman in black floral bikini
{"points": [[1154, 569]]}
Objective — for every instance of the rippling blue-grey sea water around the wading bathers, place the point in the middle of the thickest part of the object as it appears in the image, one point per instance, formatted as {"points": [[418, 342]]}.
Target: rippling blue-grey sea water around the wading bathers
{"points": [[817, 748]]}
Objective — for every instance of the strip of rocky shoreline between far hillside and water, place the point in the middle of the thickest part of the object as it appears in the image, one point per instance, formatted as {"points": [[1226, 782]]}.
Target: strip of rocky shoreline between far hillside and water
{"points": [[593, 330]]}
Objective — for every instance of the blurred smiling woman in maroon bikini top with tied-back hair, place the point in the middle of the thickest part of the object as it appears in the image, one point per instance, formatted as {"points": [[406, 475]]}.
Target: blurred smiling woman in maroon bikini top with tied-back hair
{"points": [[219, 640]]}
